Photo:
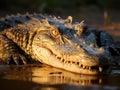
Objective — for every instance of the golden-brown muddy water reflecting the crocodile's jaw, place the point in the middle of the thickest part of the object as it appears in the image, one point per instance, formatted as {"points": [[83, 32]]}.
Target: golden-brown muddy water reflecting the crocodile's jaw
{"points": [[42, 77]]}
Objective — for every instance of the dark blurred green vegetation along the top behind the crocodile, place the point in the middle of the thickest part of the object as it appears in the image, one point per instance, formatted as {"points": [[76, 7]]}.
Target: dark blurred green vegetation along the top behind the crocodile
{"points": [[50, 6]]}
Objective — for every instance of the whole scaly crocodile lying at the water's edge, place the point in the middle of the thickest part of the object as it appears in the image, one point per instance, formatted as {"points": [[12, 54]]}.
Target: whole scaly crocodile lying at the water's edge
{"points": [[61, 43]]}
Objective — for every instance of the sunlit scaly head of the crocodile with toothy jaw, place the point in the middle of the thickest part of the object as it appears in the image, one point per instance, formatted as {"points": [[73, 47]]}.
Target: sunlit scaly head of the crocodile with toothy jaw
{"points": [[70, 49]]}
